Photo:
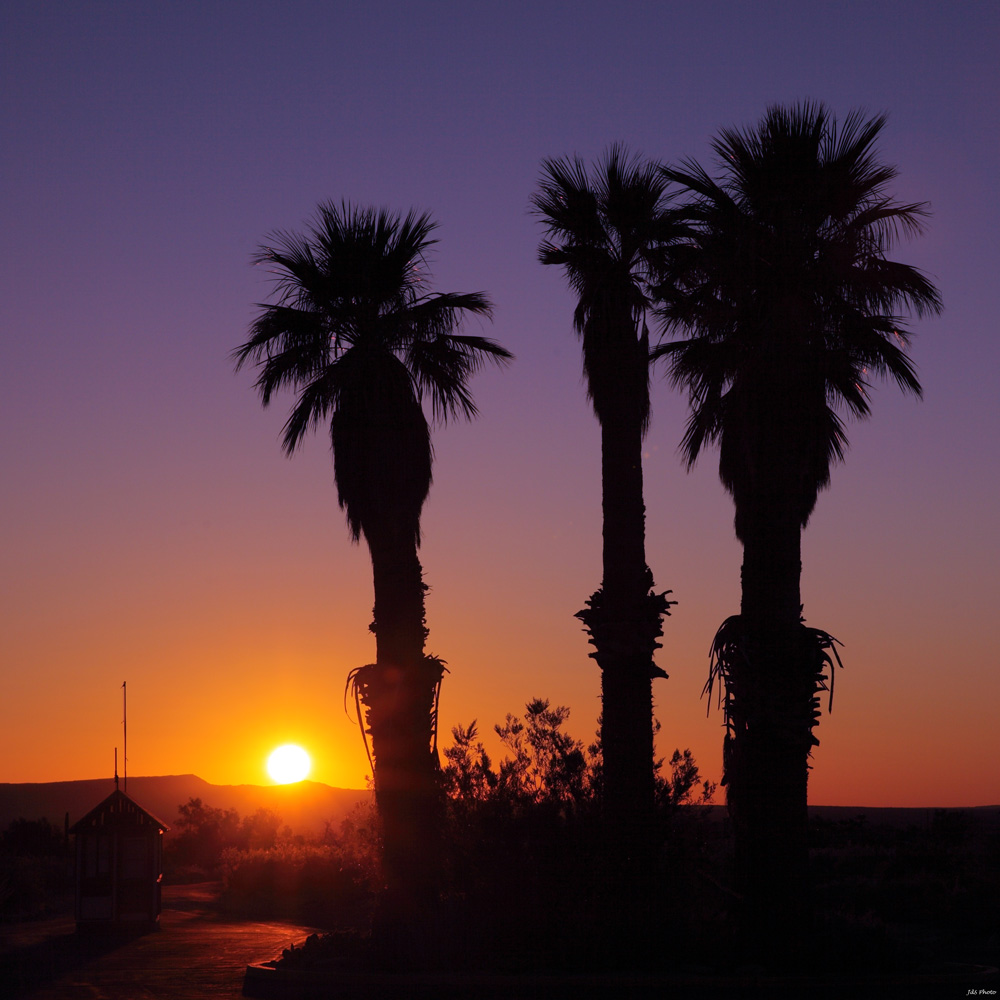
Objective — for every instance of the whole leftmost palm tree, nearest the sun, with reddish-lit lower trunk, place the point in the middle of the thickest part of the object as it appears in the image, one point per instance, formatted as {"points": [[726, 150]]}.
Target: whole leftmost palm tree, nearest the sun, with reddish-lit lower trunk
{"points": [[356, 332]]}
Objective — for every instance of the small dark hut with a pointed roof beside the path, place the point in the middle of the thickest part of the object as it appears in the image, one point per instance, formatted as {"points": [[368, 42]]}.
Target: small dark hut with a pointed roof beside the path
{"points": [[119, 866]]}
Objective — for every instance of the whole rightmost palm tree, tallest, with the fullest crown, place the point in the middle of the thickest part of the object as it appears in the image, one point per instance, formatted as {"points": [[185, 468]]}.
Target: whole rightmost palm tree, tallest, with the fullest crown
{"points": [[791, 309]]}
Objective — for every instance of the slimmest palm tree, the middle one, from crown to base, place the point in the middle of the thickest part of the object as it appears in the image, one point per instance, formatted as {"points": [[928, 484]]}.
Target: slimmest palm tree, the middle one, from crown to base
{"points": [[609, 232]]}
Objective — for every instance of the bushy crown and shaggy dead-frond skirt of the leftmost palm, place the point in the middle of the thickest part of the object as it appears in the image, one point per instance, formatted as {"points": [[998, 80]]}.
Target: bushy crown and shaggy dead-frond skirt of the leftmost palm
{"points": [[356, 332]]}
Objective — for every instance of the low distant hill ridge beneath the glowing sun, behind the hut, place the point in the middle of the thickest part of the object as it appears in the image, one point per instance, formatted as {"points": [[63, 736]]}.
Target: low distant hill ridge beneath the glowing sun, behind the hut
{"points": [[304, 806]]}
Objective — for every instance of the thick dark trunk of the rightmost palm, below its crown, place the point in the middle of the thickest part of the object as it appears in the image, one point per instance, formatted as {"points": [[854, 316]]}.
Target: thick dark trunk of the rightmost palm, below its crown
{"points": [[768, 761]]}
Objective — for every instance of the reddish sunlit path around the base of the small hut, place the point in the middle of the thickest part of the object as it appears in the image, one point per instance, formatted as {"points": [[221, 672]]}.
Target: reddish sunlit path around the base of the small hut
{"points": [[198, 955]]}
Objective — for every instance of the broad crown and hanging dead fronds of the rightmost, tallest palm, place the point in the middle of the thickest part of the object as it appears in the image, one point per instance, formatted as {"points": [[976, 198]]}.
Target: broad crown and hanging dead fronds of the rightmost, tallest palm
{"points": [[792, 304]]}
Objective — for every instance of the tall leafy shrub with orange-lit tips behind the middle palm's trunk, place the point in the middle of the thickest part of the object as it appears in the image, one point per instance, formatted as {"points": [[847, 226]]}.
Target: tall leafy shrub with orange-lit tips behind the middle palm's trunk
{"points": [[527, 846]]}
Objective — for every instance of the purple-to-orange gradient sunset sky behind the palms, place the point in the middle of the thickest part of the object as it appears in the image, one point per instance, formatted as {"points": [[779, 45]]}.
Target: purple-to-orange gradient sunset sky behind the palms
{"points": [[152, 530]]}
